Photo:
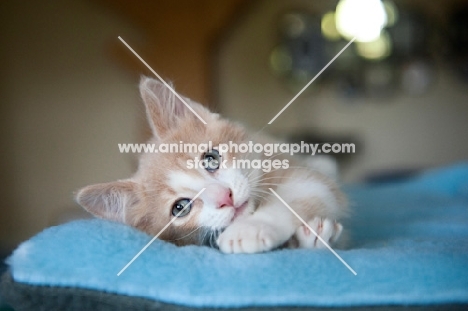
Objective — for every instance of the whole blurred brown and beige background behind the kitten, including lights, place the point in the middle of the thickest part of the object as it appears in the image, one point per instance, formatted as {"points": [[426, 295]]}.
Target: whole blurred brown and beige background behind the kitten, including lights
{"points": [[69, 87]]}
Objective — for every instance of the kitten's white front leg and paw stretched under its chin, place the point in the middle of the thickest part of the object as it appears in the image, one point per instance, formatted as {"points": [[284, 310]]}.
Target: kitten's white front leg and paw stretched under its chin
{"points": [[269, 227]]}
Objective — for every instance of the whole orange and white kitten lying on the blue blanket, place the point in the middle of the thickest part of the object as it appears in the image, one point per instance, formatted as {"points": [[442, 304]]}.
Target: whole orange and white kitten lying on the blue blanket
{"points": [[236, 212]]}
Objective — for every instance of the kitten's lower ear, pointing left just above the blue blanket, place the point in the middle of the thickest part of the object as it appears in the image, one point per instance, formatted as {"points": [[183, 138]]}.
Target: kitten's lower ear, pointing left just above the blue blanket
{"points": [[109, 200]]}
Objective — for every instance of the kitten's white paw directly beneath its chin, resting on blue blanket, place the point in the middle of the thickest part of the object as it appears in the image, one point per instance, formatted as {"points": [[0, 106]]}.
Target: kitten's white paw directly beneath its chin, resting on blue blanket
{"points": [[248, 237]]}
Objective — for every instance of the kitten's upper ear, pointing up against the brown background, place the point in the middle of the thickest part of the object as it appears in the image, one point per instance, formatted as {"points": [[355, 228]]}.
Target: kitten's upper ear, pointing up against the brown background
{"points": [[163, 109]]}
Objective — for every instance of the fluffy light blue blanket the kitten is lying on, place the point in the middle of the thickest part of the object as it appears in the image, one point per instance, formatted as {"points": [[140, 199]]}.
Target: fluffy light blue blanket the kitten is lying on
{"points": [[410, 247]]}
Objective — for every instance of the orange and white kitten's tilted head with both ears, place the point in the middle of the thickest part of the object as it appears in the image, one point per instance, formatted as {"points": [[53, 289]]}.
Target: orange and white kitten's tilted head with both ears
{"points": [[164, 184]]}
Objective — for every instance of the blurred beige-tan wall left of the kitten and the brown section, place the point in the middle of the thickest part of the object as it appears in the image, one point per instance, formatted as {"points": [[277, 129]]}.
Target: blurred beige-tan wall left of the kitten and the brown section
{"points": [[64, 108]]}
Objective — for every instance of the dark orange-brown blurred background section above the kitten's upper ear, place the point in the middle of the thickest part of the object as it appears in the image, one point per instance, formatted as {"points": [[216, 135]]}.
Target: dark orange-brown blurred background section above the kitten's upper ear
{"points": [[178, 42]]}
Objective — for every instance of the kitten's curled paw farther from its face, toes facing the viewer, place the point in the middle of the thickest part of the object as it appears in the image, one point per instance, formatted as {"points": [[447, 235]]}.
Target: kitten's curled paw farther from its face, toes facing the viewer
{"points": [[328, 230]]}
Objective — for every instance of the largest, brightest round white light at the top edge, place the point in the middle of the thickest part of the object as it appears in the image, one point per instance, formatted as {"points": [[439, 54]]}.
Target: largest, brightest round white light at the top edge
{"points": [[363, 19]]}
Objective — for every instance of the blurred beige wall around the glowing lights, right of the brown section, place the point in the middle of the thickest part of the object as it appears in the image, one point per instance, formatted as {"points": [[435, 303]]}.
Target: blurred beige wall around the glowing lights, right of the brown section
{"points": [[397, 133]]}
